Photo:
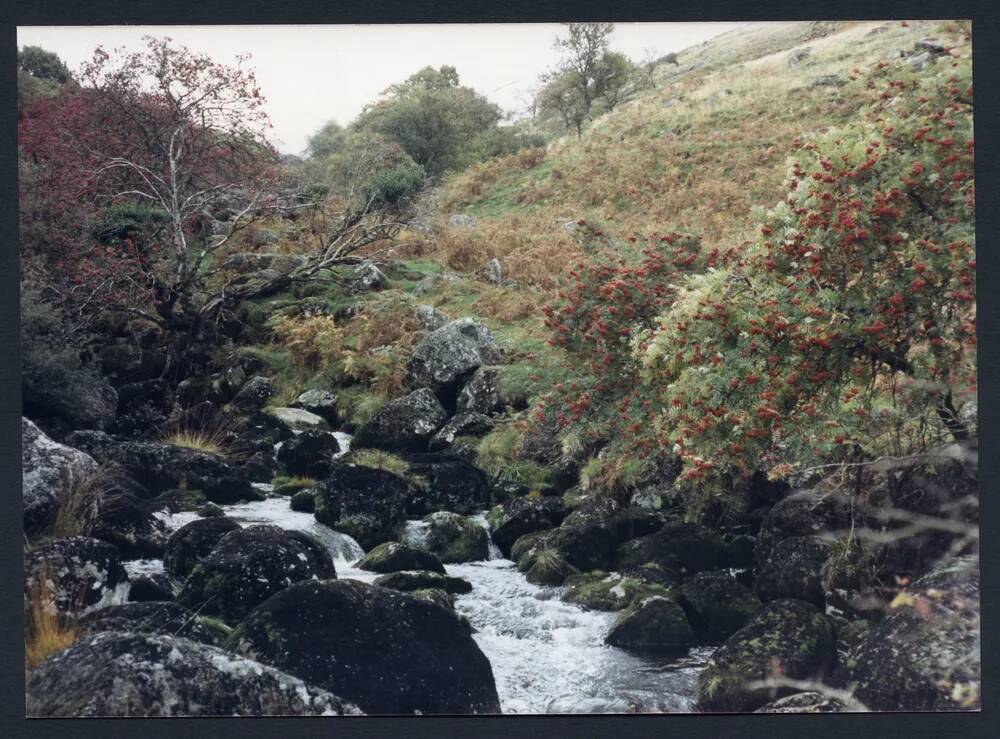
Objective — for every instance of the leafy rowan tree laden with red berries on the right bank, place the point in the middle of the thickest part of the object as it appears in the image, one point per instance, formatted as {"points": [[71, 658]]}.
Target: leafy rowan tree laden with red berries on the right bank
{"points": [[852, 312]]}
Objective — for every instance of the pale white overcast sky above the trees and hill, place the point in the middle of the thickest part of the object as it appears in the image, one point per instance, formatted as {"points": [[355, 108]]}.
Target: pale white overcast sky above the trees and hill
{"points": [[313, 74]]}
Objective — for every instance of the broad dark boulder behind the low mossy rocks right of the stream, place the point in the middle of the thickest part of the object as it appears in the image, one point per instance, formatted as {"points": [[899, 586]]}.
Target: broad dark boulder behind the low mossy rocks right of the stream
{"points": [[685, 548]]}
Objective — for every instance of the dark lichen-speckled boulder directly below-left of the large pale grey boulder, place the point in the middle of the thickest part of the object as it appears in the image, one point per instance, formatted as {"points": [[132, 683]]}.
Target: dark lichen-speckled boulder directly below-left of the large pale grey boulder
{"points": [[404, 424]]}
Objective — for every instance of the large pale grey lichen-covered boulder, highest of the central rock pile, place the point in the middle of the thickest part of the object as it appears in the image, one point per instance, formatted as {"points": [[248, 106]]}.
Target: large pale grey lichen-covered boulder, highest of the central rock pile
{"points": [[448, 355]]}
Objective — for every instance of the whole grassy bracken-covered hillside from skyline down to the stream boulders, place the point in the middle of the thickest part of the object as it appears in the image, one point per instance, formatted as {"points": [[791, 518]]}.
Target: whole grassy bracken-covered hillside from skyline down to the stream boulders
{"points": [[705, 152]]}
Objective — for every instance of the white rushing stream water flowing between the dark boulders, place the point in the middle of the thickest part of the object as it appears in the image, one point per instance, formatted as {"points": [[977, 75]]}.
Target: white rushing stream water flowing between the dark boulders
{"points": [[547, 656]]}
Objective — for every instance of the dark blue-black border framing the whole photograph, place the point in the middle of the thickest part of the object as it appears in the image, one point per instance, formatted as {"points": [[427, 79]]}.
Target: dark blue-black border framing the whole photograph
{"points": [[986, 45]]}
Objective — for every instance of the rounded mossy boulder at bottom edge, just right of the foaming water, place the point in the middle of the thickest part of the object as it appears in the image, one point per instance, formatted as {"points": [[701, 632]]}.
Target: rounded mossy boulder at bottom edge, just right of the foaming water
{"points": [[789, 636]]}
